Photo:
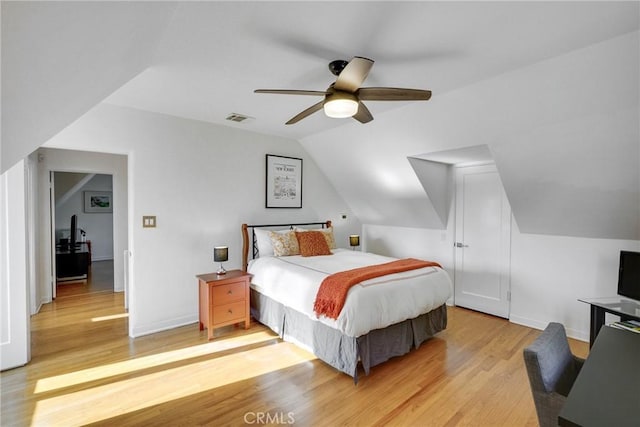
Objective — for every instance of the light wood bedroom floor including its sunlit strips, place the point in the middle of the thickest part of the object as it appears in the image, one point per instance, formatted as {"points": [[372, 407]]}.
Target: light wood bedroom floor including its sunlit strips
{"points": [[85, 370]]}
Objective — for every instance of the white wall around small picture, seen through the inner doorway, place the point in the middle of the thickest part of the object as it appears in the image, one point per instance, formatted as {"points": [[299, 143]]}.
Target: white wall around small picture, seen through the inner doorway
{"points": [[97, 225]]}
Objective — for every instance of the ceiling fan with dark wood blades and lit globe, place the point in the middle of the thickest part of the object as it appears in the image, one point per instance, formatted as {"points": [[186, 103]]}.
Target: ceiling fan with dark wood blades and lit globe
{"points": [[344, 97]]}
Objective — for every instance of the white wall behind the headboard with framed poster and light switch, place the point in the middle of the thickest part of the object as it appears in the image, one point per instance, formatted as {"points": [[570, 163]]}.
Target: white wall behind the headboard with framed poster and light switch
{"points": [[202, 182]]}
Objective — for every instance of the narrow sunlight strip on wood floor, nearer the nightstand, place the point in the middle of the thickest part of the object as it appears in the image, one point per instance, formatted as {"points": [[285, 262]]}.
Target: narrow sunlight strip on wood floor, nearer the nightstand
{"points": [[145, 362]]}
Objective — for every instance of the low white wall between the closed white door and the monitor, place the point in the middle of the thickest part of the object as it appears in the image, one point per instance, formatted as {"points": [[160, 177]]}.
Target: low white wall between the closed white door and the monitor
{"points": [[549, 274]]}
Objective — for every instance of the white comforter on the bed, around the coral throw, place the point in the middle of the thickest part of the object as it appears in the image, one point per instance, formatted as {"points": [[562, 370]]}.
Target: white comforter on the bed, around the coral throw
{"points": [[376, 303]]}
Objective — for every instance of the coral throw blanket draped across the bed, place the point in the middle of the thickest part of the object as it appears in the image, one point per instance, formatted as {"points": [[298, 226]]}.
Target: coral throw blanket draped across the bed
{"points": [[334, 288]]}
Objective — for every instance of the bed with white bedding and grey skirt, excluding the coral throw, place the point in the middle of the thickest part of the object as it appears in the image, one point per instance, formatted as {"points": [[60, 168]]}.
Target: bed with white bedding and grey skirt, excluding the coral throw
{"points": [[372, 326]]}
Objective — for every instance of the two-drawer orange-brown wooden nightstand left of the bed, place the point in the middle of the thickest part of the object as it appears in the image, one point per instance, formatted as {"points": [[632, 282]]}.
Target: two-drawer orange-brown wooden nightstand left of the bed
{"points": [[224, 300]]}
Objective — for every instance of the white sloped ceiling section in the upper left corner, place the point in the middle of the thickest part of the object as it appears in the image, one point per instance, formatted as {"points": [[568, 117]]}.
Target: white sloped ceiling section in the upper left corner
{"points": [[59, 59]]}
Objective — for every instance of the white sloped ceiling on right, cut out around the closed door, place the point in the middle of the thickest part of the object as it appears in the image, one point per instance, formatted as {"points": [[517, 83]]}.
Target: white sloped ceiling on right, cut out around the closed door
{"points": [[564, 134]]}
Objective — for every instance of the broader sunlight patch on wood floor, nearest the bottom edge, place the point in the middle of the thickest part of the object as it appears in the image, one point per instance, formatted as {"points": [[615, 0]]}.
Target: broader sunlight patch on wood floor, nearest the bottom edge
{"points": [[133, 394]]}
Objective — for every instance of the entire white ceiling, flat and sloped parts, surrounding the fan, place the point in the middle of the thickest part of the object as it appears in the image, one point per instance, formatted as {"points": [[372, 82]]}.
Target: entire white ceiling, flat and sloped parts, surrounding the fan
{"points": [[503, 74]]}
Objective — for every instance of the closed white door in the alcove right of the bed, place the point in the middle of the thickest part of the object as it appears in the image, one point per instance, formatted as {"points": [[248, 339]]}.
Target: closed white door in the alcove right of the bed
{"points": [[483, 241]]}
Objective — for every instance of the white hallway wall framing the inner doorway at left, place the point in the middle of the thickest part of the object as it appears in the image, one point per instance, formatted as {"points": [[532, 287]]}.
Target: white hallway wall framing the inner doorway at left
{"points": [[86, 162]]}
